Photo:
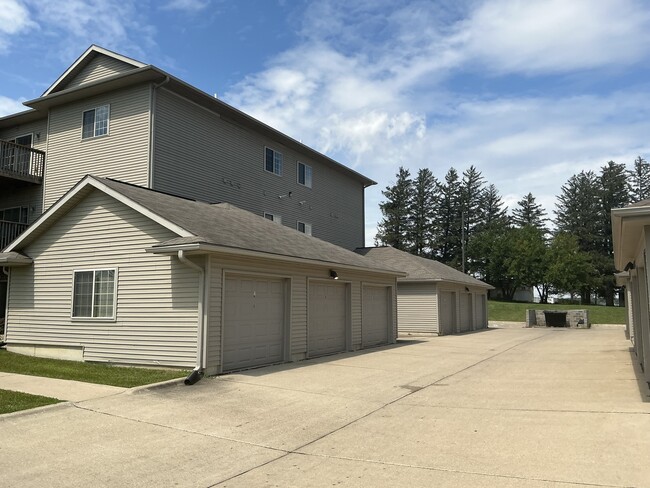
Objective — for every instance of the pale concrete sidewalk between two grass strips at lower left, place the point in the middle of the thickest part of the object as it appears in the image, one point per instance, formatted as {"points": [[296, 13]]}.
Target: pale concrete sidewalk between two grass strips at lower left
{"points": [[67, 390]]}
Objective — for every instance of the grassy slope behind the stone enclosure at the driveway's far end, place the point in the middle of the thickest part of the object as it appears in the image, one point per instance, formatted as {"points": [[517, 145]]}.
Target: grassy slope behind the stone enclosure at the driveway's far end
{"points": [[516, 312]]}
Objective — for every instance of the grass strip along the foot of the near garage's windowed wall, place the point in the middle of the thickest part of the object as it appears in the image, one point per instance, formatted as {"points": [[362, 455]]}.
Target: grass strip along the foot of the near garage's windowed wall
{"points": [[88, 372]]}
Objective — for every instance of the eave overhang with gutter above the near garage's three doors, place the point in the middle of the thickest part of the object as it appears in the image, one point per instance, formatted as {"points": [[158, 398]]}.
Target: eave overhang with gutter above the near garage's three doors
{"points": [[205, 248]]}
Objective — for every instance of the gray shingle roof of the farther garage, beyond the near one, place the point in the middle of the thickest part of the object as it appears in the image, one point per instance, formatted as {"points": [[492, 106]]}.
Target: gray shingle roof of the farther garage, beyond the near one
{"points": [[418, 269]]}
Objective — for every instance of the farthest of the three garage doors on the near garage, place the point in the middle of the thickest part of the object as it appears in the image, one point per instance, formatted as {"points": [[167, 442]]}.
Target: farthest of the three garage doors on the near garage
{"points": [[375, 315]]}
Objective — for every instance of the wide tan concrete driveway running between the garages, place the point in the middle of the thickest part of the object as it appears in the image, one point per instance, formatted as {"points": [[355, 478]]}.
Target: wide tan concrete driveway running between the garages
{"points": [[502, 408]]}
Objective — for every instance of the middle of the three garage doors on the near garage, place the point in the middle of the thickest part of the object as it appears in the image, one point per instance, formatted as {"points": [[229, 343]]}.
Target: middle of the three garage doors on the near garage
{"points": [[328, 305]]}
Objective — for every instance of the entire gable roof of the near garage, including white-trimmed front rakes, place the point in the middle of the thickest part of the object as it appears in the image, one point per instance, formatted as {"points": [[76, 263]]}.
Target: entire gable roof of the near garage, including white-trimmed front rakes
{"points": [[205, 227]]}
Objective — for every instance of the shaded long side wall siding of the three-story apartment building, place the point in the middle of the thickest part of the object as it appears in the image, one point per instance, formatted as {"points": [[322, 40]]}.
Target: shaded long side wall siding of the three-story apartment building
{"points": [[199, 155]]}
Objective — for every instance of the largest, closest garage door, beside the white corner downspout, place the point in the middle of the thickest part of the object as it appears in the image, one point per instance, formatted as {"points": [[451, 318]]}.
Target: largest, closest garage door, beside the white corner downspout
{"points": [[253, 322]]}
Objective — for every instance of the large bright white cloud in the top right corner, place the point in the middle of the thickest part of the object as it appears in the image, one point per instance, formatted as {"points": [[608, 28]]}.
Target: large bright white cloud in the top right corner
{"points": [[542, 36]]}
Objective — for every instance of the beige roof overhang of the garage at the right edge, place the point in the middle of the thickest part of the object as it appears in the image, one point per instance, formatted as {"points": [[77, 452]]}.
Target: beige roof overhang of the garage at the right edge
{"points": [[628, 226]]}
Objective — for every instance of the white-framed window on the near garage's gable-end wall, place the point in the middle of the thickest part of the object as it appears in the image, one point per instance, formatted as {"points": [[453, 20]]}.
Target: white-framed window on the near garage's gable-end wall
{"points": [[93, 294]]}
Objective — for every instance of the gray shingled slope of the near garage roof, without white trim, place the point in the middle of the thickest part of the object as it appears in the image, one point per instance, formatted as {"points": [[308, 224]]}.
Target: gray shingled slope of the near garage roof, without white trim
{"points": [[231, 227]]}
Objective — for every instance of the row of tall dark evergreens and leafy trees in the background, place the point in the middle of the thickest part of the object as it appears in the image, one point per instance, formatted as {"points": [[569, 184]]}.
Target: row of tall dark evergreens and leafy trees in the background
{"points": [[463, 222]]}
